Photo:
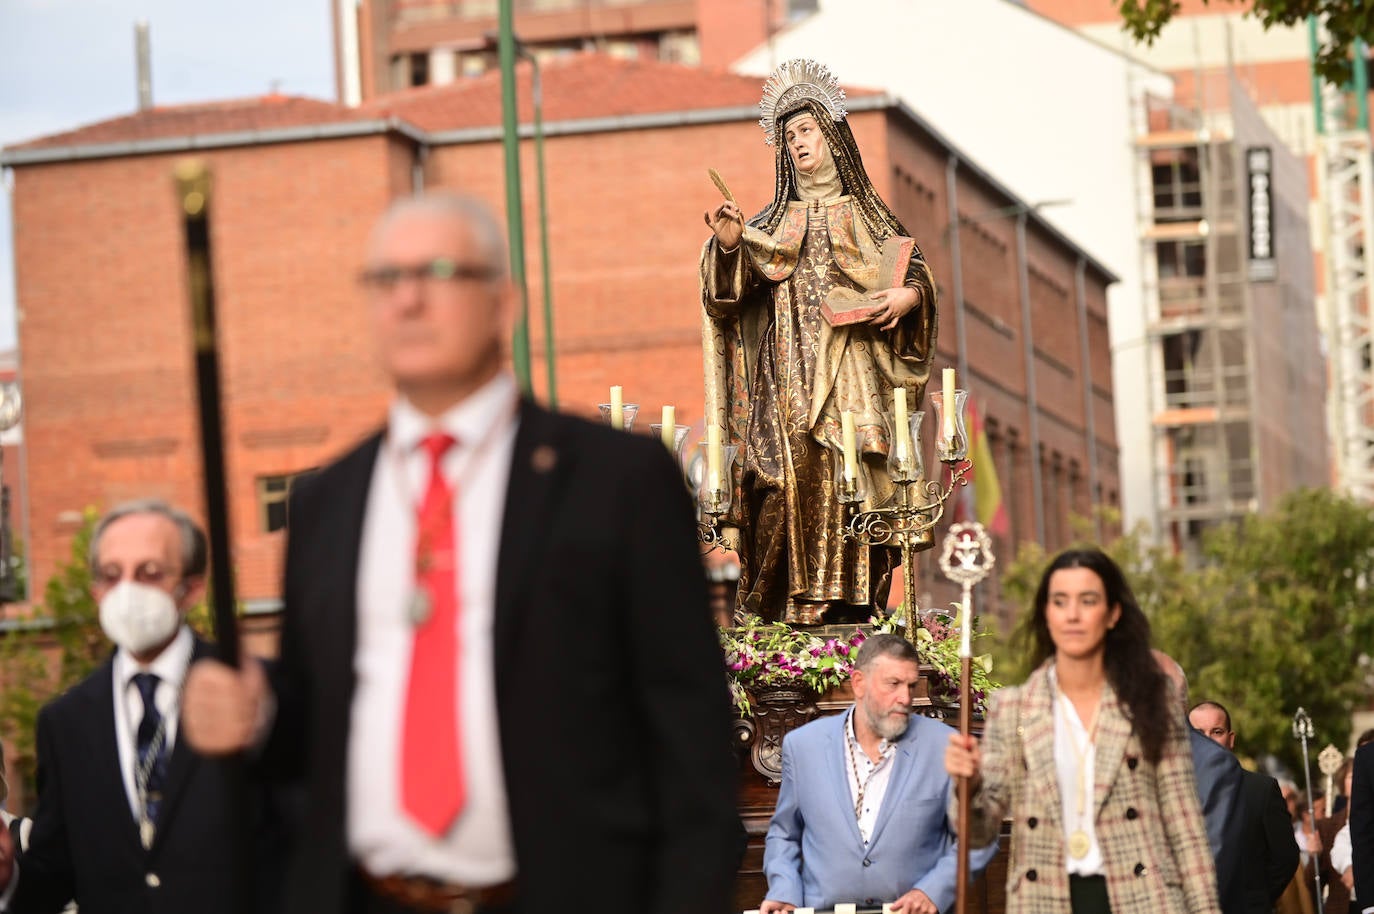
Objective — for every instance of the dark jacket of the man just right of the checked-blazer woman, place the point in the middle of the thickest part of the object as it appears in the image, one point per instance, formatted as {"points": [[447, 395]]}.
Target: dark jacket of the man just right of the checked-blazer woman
{"points": [[1269, 854]]}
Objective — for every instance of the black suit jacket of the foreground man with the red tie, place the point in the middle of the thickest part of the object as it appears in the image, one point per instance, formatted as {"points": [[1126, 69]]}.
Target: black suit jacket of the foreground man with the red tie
{"points": [[612, 703]]}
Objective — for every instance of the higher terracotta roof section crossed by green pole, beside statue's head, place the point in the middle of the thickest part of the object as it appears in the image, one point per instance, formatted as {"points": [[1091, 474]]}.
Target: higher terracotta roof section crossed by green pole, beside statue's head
{"points": [[582, 86]]}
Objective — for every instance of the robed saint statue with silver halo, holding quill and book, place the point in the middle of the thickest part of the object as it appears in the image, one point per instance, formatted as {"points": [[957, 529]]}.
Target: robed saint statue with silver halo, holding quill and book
{"points": [[780, 376]]}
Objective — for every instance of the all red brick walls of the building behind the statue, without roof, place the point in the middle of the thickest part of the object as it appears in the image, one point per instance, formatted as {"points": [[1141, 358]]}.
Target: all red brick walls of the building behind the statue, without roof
{"points": [[106, 347]]}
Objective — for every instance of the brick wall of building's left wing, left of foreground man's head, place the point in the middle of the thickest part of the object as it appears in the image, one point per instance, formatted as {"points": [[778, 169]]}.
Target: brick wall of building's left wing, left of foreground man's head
{"points": [[106, 344]]}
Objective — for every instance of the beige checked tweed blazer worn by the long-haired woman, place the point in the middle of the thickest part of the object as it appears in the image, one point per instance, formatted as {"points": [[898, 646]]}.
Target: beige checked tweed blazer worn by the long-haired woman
{"points": [[1148, 820]]}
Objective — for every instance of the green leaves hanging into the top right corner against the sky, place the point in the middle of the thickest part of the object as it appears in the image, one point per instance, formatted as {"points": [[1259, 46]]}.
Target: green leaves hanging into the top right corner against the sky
{"points": [[1347, 23]]}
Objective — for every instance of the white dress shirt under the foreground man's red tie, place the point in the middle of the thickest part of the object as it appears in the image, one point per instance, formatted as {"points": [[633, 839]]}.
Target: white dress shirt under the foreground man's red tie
{"points": [[477, 849]]}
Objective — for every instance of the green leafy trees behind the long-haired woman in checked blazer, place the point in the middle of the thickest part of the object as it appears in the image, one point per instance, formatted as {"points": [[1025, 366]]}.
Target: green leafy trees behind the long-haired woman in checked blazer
{"points": [[1279, 615]]}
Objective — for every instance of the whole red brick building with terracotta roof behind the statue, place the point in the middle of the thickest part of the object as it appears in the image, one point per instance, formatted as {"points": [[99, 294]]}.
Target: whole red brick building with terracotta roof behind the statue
{"points": [[105, 336]]}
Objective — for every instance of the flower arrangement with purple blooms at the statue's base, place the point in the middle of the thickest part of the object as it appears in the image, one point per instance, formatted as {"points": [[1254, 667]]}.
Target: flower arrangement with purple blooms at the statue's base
{"points": [[769, 655]]}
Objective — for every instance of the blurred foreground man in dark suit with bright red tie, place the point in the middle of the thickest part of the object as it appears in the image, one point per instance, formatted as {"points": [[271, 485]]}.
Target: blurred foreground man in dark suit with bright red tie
{"points": [[498, 676]]}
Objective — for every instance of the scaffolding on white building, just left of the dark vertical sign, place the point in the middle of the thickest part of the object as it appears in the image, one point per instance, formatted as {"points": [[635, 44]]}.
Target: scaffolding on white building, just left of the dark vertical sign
{"points": [[1199, 326]]}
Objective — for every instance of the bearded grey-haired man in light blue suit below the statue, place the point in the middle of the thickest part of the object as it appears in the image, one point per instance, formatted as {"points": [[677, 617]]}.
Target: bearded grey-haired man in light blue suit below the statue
{"points": [[861, 813]]}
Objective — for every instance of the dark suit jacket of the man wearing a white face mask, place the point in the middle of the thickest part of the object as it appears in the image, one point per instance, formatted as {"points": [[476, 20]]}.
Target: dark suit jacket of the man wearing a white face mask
{"points": [[86, 843]]}
